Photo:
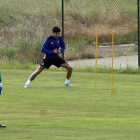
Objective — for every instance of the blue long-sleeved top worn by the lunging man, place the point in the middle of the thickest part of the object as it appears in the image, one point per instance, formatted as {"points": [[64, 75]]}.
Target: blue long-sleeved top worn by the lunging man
{"points": [[50, 44]]}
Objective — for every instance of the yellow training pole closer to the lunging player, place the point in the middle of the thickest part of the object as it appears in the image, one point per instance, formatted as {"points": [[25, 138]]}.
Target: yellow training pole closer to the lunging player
{"points": [[96, 57]]}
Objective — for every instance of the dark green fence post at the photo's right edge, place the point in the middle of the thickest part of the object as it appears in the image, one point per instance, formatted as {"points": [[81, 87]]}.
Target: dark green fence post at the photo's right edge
{"points": [[138, 34]]}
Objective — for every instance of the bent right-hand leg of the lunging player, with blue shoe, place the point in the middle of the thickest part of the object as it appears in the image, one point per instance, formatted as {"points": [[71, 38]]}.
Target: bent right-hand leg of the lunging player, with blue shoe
{"points": [[69, 72]]}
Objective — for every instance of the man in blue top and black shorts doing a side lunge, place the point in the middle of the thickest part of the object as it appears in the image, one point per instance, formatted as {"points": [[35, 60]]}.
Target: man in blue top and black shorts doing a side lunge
{"points": [[51, 51]]}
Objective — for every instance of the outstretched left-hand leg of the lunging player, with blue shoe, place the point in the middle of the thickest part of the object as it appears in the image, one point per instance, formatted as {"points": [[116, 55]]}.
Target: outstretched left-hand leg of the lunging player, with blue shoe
{"points": [[33, 76]]}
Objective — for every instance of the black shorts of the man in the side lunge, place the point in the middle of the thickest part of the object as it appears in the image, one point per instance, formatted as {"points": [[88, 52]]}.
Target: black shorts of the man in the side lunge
{"points": [[56, 62]]}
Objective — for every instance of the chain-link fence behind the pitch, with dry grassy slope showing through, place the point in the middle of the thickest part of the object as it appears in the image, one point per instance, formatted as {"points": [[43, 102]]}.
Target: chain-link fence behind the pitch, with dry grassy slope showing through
{"points": [[24, 25]]}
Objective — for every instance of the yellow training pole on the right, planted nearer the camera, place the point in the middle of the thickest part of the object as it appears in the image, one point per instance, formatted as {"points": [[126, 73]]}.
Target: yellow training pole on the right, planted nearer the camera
{"points": [[112, 62]]}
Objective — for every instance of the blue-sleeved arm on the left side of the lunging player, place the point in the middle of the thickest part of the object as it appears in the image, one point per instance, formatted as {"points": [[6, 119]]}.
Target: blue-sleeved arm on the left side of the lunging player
{"points": [[45, 46]]}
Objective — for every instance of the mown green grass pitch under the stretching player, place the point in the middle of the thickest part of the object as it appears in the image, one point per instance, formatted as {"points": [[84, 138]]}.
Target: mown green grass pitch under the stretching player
{"points": [[49, 111]]}
